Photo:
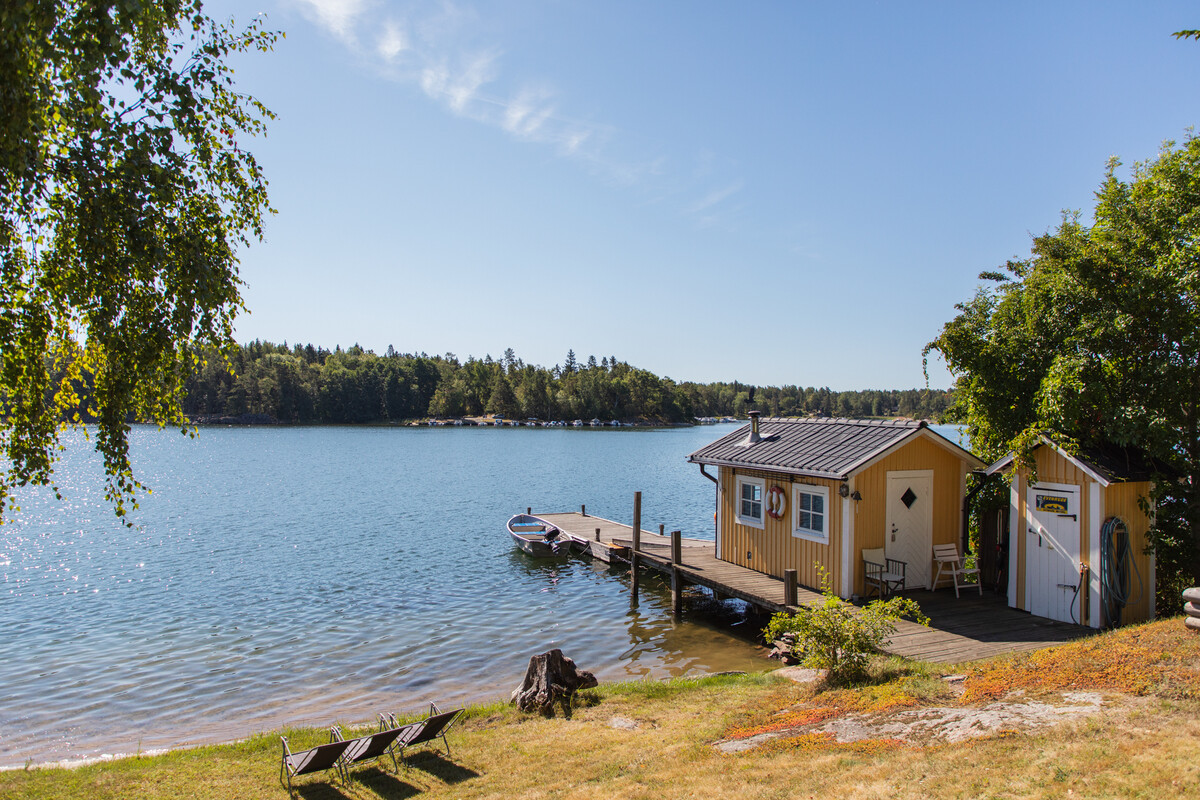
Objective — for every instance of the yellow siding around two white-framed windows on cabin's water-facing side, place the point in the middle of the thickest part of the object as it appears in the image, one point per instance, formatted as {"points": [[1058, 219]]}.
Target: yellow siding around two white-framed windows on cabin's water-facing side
{"points": [[773, 549]]}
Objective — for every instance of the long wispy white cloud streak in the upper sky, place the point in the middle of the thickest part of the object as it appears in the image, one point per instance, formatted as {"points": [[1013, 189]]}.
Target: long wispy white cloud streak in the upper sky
{"points": [[435, 46]]}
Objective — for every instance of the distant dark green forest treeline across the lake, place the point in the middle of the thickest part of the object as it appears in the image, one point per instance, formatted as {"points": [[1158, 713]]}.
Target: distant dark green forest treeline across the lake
{"points": [[308, 384]]}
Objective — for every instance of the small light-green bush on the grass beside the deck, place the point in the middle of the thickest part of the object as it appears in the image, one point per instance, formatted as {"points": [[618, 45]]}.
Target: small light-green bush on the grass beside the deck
{"points": [[838, 637]]}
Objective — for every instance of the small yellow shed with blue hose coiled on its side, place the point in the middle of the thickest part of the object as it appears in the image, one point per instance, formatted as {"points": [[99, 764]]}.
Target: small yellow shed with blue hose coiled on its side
{"points": [[1078, 536]]}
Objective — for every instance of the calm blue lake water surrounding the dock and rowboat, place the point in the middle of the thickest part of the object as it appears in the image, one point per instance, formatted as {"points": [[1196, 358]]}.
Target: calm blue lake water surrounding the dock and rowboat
{"points": [[305, 576]]}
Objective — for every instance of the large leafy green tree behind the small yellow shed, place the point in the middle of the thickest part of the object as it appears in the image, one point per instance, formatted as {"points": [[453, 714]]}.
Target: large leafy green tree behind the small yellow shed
{"points": [[1096, 339]]}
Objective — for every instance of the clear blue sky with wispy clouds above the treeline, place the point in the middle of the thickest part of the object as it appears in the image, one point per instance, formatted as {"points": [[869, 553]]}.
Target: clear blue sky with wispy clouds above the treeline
{"points": [[772, 193]]}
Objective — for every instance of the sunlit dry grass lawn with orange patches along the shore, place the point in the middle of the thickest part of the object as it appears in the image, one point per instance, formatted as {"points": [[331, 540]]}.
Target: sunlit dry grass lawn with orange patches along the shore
{"points": [[656, 741]]}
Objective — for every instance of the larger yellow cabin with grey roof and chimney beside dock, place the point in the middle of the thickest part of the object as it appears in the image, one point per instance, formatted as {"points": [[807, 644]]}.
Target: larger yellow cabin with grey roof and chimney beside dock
{"points": [[814, 494]]}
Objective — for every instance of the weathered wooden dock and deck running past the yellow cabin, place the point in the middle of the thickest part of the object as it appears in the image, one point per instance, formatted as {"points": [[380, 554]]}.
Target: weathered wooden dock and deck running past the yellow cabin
{"points": [[962, 629]]}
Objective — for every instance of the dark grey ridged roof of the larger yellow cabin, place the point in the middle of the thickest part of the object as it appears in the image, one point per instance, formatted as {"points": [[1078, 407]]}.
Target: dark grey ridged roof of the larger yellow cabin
{"points": [[815, 448]]}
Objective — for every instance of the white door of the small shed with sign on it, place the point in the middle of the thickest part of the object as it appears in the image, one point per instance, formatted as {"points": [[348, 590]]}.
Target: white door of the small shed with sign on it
{"points": [[1052, 552]]}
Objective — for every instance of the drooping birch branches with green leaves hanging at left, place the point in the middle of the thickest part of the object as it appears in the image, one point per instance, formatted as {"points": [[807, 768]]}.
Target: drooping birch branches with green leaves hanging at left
{"points": [[124, 195]]}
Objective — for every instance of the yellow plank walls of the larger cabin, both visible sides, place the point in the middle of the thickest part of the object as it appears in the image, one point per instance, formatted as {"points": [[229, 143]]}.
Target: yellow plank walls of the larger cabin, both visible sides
{"points": [[773, 549]]}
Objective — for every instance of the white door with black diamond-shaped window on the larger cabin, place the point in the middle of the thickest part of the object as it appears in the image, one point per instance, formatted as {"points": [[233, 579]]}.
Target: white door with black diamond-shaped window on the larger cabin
{"points": [[909, 536]]}
